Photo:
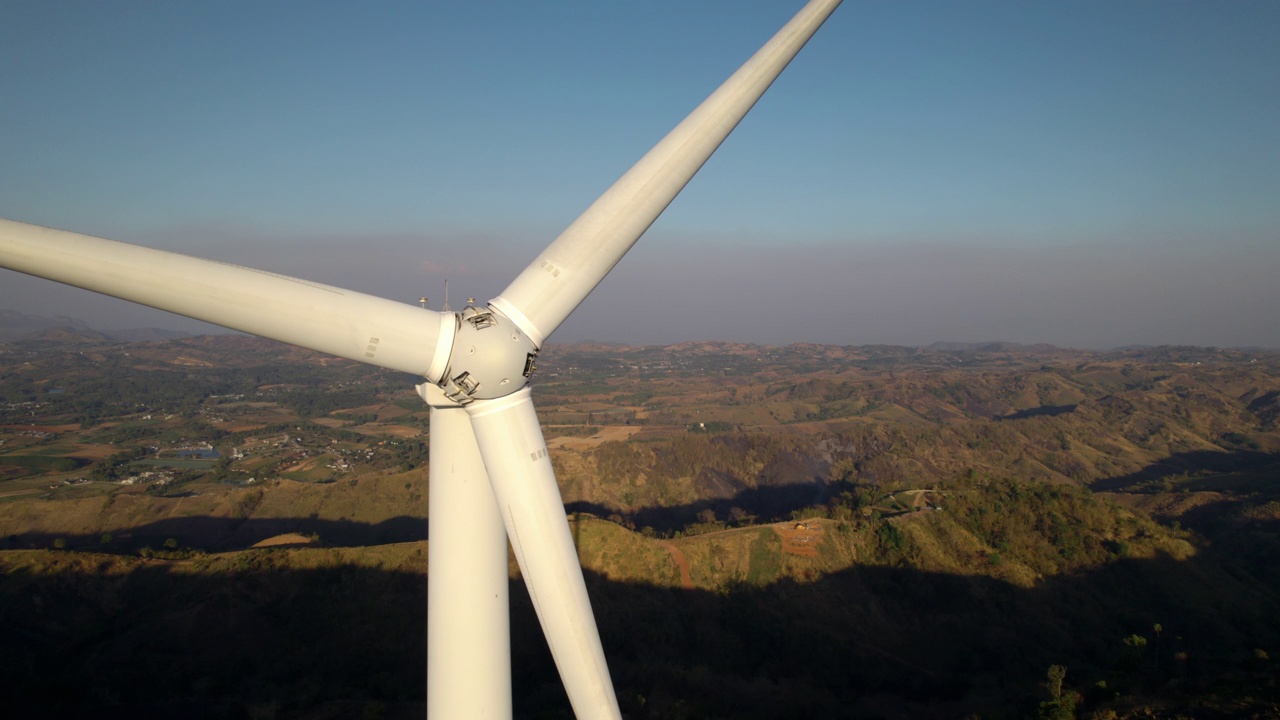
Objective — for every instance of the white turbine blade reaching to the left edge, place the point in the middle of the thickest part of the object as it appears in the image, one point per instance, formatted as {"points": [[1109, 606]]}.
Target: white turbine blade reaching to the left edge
{"points": [[335, 321]]}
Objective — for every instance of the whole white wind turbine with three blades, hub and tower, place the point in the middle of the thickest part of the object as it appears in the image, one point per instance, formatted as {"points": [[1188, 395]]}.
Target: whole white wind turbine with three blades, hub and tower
{"points": [[491, 477]]}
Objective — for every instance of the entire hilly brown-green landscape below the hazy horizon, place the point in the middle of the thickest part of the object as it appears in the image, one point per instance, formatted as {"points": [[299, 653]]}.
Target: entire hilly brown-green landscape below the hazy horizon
{"points": [[802, 532]]}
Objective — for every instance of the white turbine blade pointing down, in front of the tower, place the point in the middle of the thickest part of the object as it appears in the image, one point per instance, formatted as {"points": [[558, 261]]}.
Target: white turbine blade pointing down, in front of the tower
{"points": [[524, 485]]}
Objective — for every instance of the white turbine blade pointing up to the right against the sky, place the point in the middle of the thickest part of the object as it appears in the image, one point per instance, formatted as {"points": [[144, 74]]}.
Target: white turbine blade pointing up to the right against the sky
{"points": [[550, 289]]}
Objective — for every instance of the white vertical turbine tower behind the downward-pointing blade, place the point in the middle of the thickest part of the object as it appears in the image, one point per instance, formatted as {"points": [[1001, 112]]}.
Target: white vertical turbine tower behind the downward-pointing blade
{"points": [[468, 617]]}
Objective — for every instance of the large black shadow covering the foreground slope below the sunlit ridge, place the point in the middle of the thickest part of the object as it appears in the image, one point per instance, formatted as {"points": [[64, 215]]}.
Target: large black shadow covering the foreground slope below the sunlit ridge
{"points": [[346, 641]]}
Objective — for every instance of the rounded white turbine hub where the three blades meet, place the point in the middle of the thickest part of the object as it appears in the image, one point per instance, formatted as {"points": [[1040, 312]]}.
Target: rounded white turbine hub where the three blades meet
{"points": [[492, 358]]}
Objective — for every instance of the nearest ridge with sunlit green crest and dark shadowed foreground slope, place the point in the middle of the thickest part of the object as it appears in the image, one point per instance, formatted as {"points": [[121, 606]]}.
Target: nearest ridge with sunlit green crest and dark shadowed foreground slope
{"points": [[943, 613]]}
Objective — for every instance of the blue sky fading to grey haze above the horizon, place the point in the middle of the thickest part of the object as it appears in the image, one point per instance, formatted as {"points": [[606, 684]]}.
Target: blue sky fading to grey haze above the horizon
{"points": [[1081, 174]]}
